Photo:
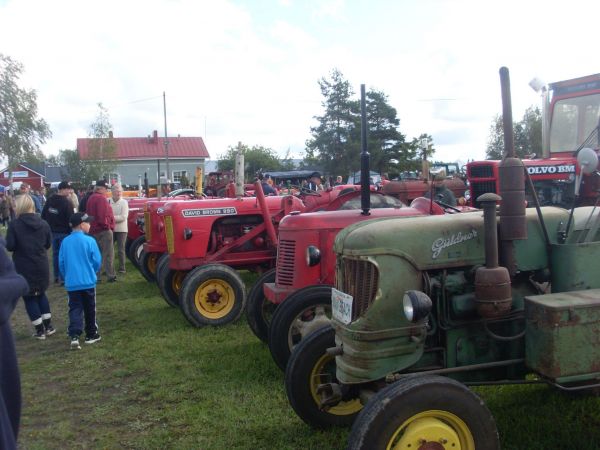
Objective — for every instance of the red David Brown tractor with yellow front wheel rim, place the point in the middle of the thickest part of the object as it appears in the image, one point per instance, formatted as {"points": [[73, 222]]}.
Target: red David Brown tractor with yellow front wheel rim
{"points": [[208, 241]]}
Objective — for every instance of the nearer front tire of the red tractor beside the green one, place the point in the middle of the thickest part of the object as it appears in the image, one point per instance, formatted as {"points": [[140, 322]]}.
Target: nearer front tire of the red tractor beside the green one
{"points": [[303, 312]]}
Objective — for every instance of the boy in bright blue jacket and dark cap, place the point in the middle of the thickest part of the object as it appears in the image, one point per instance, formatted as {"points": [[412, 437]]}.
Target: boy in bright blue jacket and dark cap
{"points": [[78, 260]]}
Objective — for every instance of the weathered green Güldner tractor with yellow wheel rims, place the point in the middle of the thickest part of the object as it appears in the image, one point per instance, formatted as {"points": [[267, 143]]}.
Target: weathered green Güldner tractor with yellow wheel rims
{"points": [[421, 307]]}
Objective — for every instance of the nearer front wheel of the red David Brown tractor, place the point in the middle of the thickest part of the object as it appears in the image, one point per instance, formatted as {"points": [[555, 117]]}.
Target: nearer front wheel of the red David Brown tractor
{"points": [[213, 294]]}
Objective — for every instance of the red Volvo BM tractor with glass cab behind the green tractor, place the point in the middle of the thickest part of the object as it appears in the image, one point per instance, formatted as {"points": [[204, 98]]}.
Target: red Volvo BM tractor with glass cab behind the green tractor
{"points": [[570, 121]]}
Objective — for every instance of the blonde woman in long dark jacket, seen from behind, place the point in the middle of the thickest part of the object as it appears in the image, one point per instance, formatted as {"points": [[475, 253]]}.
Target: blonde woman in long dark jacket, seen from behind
{"points": [[29, 238]]}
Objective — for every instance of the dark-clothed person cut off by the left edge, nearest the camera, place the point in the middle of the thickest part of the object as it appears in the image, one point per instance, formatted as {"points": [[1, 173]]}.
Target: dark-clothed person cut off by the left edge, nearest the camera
{"points": [[12, 286]]}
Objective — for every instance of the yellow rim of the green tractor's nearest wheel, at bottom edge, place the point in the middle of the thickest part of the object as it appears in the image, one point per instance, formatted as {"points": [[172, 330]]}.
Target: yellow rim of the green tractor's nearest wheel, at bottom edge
{"points": [[433, 429]]}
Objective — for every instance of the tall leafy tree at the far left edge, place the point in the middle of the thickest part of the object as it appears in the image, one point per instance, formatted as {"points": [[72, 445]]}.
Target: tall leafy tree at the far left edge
{"points": [[21, 132]]}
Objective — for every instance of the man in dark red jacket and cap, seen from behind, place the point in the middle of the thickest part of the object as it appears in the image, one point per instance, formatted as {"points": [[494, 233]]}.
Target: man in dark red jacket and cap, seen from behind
{"points": [[102, 227]]}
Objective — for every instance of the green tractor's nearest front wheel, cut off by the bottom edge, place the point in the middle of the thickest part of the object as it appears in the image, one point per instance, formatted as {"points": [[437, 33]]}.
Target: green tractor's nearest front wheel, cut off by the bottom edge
{"points": [[425, 411]]}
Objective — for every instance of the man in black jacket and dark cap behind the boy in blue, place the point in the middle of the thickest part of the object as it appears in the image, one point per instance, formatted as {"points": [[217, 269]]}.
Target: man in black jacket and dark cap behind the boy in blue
{"points": [[57, 212]]}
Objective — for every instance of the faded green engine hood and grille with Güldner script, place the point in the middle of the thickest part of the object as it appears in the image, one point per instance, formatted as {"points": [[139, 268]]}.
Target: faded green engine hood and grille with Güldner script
{"points": [[381, 259]]}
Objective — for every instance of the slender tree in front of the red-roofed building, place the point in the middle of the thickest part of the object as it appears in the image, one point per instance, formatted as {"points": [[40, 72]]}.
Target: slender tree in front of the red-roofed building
{"points": [[102, 158]]}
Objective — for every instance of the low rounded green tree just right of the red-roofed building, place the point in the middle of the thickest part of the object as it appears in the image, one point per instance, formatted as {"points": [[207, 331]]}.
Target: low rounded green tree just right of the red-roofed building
{"points": [[256, 158]]}
